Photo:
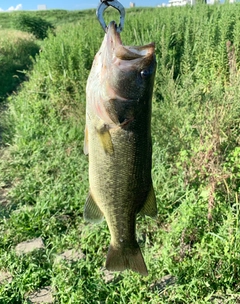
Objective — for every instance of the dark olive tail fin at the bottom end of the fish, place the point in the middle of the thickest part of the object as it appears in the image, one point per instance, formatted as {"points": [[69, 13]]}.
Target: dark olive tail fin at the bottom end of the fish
{"points": [[119, 259]]}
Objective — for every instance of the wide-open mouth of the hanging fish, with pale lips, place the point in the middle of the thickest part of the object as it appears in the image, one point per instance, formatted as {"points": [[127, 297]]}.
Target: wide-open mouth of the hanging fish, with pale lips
{"points": [[126, 52]]}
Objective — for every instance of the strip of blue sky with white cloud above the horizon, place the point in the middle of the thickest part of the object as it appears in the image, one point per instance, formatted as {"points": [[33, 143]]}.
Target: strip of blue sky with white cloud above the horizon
{"points": [[11, 5]]}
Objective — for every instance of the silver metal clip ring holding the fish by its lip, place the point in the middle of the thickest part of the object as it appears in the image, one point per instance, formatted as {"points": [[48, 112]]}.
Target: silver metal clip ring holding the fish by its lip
{"points": [[104, 4]]}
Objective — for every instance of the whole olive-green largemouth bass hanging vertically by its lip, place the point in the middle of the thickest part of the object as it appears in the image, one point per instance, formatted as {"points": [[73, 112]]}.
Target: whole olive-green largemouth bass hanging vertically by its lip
{"points": [[119, 146]]}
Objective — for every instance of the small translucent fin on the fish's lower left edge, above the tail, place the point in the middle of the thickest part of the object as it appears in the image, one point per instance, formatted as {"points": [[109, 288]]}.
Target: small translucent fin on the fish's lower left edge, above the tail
{"points": [[92, 213]]}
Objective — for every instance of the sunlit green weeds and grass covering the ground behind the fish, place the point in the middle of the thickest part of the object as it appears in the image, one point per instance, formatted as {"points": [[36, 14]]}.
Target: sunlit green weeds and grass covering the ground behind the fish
{"points": [[196, 164]]}
